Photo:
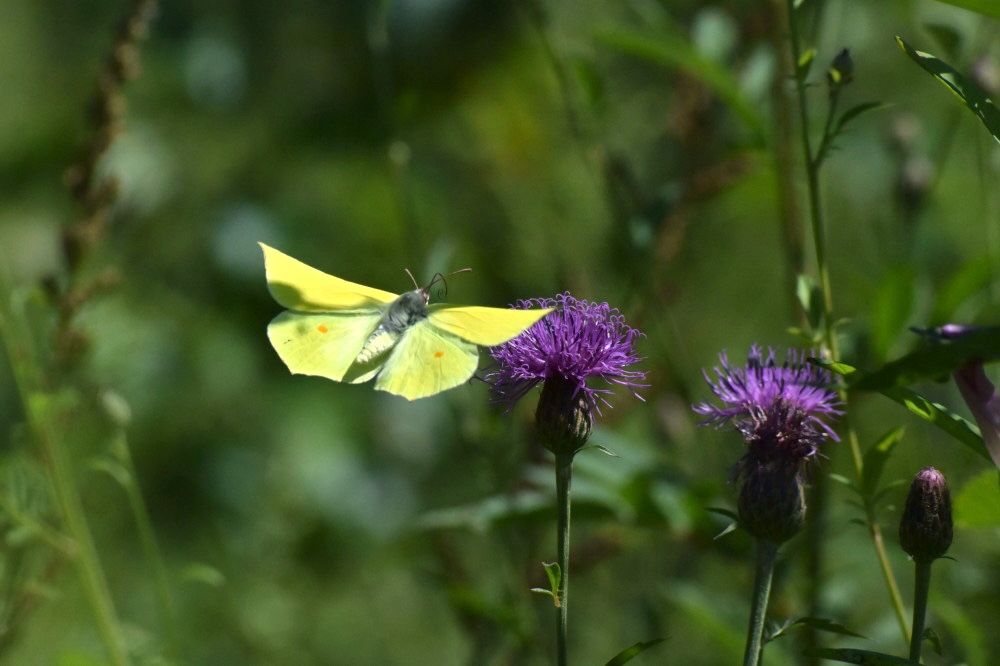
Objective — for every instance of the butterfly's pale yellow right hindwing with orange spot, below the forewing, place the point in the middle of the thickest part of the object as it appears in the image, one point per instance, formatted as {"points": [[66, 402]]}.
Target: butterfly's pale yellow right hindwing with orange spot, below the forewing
{"points": [[426, 361]]}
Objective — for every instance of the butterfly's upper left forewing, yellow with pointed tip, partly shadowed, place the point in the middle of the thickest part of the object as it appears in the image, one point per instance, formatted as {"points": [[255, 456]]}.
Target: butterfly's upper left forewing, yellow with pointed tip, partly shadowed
{"points": [[302, 288]]}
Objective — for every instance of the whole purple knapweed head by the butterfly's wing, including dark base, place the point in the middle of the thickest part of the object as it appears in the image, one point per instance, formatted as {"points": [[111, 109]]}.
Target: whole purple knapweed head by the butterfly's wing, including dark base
{"points": [[575, 344]]}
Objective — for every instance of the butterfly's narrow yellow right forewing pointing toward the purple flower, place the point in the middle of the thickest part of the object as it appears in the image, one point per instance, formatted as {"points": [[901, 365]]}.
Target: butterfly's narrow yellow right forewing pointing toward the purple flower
{"points": [[481, 325]]}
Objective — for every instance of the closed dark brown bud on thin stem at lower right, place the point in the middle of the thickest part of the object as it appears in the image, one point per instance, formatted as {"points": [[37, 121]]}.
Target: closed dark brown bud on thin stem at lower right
{"points": [[925, 530]]}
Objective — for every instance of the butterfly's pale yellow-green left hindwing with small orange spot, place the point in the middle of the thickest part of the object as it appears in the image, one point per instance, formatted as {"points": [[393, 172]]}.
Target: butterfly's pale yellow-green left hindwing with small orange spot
{"points": [[324, 344]]}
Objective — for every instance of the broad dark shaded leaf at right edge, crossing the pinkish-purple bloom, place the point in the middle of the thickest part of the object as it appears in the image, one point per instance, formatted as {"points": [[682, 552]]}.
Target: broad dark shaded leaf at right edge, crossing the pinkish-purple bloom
{"points": [[934, 362]]}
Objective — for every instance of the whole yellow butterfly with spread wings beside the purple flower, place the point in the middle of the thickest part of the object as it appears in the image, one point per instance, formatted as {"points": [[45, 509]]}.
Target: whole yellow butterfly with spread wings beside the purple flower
{"points": [[351, 333]]}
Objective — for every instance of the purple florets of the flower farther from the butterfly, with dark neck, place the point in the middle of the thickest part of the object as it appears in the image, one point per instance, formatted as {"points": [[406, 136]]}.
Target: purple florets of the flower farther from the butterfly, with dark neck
{"points": [[779, 409]]}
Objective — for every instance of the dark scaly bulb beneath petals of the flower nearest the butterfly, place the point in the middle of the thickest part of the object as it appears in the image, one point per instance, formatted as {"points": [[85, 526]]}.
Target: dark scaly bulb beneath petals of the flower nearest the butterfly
{"points": [[563, 418]]}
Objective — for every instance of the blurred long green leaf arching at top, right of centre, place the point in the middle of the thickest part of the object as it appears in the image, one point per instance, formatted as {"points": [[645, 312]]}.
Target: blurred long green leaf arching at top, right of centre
{"points": [[669, 47]]}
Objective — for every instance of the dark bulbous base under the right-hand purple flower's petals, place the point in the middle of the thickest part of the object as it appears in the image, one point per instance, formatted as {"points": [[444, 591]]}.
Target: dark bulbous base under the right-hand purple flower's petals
{"points": [[772, 503]]}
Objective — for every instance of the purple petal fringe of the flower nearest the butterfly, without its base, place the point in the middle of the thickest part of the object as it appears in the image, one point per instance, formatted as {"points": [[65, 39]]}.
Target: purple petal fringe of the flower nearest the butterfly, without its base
{"points": [[576, 342]]}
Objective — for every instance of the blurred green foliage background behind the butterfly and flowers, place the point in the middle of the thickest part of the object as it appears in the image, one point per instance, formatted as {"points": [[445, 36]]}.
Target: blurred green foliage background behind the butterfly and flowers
{"points": [[624, 151]]}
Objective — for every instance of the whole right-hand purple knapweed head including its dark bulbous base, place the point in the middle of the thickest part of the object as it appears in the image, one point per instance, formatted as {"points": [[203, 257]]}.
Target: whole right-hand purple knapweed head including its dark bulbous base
{"points": [[782, 413]]}
